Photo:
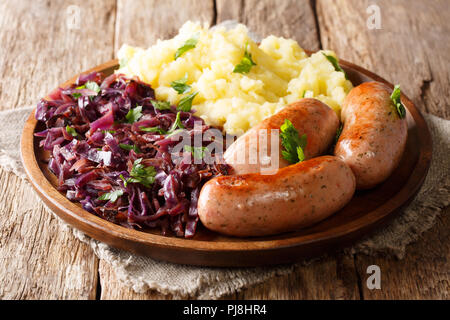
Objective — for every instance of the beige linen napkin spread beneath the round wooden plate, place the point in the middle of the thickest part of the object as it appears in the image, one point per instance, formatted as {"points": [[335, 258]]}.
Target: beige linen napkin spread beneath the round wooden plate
{"points": [[143, 273]]}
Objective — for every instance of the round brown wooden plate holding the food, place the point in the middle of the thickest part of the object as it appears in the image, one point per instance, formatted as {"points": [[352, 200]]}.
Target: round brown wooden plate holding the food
{"points": [[366, 211]]}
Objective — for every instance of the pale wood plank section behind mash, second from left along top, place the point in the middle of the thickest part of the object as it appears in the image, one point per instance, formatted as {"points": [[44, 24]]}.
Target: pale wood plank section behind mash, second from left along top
{"points": [[142, 22]]}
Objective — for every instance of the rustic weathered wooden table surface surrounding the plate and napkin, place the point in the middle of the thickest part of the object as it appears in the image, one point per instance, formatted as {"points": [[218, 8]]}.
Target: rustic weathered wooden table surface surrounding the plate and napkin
{"points": [[43, 43]]}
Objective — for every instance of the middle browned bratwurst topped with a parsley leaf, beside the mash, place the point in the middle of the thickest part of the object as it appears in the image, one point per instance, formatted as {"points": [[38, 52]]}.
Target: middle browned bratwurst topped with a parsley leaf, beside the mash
{"points": [[309, 116]]}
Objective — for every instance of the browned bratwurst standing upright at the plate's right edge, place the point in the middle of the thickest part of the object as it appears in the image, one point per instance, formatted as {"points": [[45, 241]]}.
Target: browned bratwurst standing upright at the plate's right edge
{"points": [[373, 137]]}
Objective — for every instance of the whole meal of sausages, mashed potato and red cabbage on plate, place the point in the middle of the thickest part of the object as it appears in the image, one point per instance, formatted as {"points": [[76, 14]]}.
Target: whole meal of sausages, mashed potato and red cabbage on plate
{"points": [[247, 139]]}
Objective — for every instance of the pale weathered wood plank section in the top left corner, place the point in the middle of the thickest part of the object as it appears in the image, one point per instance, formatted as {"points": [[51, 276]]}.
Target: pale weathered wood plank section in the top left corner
{"points": [[47, 42]]}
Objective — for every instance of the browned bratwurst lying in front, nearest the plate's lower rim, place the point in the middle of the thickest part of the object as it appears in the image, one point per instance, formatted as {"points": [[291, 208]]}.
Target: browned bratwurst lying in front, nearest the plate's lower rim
{"points": [[257, 205]]}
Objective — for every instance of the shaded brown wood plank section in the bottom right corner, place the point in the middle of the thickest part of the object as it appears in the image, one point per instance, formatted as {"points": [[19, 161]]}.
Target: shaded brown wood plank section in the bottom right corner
{"points": [[424, 273]]}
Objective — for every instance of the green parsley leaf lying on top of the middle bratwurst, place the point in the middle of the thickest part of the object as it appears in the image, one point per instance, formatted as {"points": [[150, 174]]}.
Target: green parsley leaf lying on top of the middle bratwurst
{"points": [[293, 144]]}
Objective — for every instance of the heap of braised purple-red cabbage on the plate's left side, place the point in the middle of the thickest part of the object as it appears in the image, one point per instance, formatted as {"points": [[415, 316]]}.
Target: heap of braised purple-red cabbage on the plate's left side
{"points": [[111, 150]]}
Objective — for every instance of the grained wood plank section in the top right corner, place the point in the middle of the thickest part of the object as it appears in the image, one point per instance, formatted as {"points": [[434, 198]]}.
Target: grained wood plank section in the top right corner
{"points": [[411, 48]]}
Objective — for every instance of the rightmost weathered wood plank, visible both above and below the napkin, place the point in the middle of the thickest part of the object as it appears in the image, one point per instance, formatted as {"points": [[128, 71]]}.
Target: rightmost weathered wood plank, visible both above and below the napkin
{"points": [[410, 49]]}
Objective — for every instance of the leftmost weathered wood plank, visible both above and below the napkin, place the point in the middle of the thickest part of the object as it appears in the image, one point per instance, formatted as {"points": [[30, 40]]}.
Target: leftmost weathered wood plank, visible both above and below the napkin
{"points": [[43, 44]]}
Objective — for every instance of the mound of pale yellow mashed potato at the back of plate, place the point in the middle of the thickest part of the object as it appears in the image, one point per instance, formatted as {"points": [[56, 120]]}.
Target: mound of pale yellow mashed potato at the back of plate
{"points": [[234, 101]]}
